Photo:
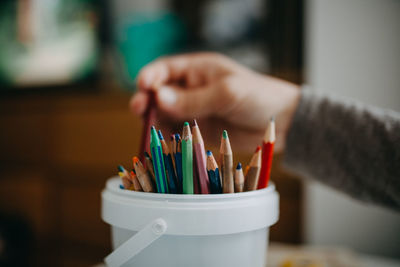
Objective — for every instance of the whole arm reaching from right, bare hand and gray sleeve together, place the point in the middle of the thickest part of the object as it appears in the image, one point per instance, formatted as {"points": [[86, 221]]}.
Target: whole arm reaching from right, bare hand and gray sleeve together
{"points": [[351, 147]]}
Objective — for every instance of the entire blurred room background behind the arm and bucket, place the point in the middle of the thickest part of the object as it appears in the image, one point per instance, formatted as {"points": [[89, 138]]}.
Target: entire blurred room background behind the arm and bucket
{"points": [[67, 71]]}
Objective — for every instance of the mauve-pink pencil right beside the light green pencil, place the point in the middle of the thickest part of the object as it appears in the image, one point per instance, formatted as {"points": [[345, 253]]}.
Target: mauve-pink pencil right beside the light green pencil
{"points": [[199, 158]]}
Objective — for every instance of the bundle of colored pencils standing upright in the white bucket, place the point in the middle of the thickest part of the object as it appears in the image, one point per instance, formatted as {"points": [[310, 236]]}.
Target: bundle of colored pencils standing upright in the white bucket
{"points": [[184, 167]]}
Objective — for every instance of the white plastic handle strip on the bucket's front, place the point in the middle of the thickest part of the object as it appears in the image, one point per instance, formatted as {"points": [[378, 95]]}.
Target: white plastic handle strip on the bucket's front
{"points": [[147, 235]]}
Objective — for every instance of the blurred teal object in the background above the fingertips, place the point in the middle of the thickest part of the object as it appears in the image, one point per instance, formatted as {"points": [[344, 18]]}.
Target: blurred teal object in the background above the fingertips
{"points": [[145, 37]]}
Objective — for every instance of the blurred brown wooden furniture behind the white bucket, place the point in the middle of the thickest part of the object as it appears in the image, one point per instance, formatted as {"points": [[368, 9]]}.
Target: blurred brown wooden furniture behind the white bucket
{"points": [[58, 149]]}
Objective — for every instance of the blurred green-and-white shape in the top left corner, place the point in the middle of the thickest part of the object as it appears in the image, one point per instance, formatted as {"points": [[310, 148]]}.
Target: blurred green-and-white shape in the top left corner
{"points": [[47, 42]]}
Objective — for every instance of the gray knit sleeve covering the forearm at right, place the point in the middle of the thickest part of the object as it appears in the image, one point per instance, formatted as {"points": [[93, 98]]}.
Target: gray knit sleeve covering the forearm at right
{"points": [[349, 146]]}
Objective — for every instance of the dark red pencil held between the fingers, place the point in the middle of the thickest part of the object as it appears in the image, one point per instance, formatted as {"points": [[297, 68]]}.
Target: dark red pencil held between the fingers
{"points": [[148, 119]]}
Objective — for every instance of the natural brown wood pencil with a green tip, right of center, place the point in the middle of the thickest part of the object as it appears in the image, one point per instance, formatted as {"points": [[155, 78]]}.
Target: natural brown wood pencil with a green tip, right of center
{"points": [[226, 163]]}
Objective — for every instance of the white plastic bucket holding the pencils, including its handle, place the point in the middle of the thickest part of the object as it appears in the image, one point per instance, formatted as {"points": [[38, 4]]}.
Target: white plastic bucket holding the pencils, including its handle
{"points": [[150, 229]]}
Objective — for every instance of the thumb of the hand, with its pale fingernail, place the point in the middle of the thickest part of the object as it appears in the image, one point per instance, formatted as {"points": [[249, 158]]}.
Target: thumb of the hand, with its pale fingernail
{"points": [[186, 103]]}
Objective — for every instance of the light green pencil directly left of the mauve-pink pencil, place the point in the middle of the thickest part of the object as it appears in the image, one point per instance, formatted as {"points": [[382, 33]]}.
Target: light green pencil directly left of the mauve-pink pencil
{"points": [[187, 160]]}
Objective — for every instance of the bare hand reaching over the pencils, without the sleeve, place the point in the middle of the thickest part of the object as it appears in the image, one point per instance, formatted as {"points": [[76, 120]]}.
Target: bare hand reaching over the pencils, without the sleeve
{"points": [[220, 94]]}
